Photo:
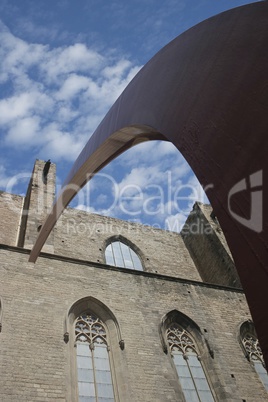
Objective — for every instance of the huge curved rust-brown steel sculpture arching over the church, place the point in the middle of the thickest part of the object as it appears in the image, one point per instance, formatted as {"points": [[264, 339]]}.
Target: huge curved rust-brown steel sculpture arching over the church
{"points": [[207, 93]]}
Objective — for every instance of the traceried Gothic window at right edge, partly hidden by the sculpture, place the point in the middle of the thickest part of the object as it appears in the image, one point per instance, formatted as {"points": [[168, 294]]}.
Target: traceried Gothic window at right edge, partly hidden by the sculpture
{"points": [[254, 354]]}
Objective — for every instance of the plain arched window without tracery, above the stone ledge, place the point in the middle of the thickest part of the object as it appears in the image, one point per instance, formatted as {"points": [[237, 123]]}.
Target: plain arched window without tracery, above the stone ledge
{"points": [[120, 254]]}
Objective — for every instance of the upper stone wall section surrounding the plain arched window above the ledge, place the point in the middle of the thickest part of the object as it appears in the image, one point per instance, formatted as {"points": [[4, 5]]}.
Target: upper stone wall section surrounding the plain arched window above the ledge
{"points": [[81, 235]]}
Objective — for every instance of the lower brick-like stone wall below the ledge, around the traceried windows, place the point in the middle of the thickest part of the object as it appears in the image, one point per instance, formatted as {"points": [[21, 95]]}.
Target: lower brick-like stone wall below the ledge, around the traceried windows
{"points": [[37, 365]]}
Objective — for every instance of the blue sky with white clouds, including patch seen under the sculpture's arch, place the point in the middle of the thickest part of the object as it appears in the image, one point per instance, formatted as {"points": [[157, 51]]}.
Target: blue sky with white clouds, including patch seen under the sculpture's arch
{"points": [[63, 64]]}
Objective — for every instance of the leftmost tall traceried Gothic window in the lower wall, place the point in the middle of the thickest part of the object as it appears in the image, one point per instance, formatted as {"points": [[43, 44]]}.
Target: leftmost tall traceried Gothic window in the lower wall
{"points": [[93, 364]]}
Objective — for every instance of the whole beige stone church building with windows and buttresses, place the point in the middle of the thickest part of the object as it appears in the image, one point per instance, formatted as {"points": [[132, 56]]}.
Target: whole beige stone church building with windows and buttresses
{"points": [[188, 282]]}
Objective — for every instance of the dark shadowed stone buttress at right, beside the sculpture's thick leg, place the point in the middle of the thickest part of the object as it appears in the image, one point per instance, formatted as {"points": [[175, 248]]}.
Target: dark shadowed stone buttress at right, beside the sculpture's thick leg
{"points": [[208, 247]]}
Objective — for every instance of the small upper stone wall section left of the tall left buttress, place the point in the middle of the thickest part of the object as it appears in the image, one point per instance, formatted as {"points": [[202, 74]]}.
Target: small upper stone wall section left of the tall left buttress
{"points": [[10, 217]]}
